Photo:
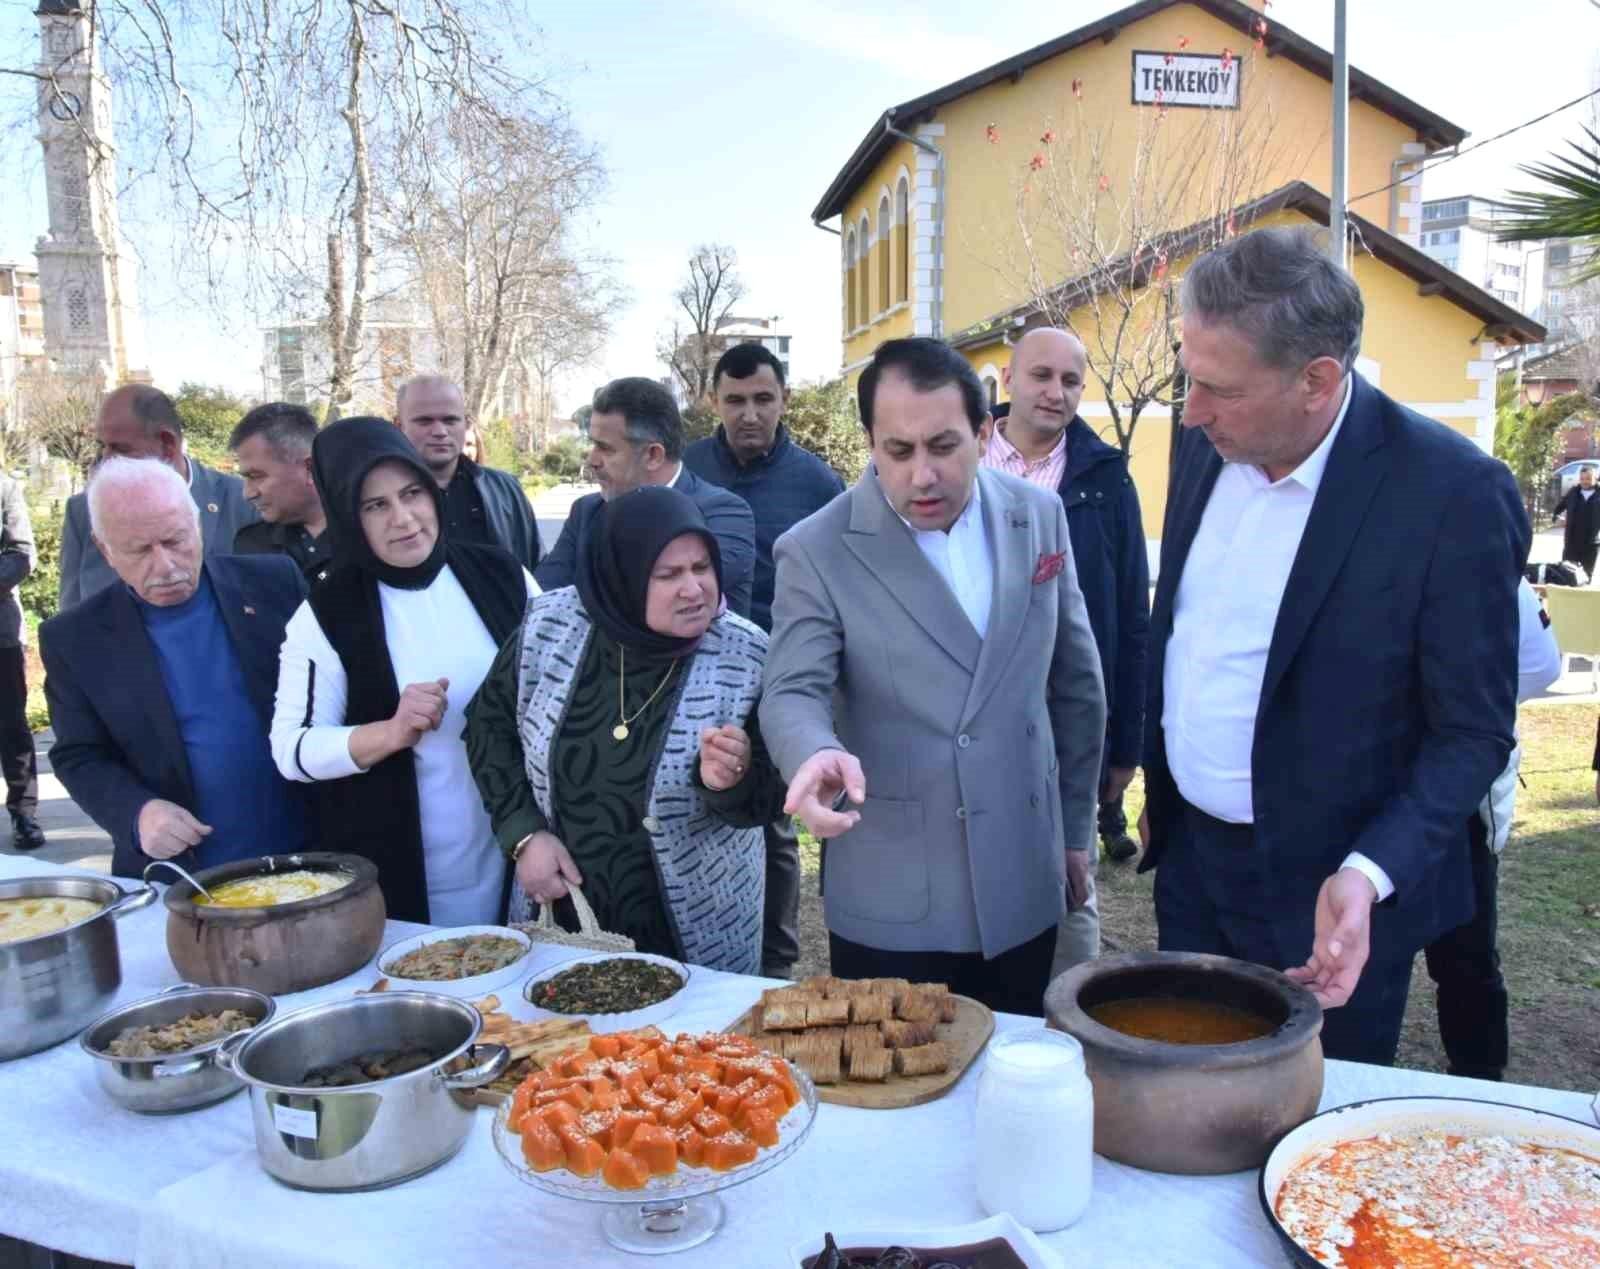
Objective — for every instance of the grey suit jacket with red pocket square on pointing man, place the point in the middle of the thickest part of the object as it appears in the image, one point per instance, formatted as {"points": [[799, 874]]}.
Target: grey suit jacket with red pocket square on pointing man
{"points": [[982, 756]]}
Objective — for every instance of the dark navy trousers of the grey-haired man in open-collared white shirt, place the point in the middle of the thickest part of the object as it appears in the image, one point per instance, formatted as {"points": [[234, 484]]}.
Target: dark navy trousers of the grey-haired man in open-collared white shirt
{"points": [[1212, 895]]}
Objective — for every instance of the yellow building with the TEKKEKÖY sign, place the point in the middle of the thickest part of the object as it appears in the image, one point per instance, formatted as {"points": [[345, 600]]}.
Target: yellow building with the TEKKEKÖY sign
{"points": [[1074, 182]]}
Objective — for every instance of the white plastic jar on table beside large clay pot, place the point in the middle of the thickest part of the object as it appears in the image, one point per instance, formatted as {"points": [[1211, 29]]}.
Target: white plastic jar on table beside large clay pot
{"points": [[1036, 1129]]}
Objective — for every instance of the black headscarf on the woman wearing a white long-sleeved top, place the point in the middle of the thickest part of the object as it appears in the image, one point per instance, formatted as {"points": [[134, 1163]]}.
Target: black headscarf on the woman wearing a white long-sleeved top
{"points": [[342, 457]]}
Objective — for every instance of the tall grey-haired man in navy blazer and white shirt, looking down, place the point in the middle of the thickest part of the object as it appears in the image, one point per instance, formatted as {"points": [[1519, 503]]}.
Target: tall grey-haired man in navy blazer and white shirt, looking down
{"points": [[1334, 647]]}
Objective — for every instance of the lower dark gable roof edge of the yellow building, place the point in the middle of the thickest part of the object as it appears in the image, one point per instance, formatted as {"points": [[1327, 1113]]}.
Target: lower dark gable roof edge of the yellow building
{"points": [[1500, 321]]}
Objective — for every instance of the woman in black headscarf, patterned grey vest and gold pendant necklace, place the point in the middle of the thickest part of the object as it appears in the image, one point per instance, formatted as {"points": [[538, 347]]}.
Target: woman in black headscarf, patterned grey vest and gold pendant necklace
{"points": [[617, 748]]}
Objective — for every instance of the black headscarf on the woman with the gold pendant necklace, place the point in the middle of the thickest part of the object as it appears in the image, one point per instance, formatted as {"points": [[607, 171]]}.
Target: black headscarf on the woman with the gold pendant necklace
{"points": [[620, 553]]}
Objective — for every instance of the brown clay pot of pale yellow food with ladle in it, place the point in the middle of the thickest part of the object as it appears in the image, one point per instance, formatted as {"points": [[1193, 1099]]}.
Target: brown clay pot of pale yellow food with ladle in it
{"points": [[284, 948]]}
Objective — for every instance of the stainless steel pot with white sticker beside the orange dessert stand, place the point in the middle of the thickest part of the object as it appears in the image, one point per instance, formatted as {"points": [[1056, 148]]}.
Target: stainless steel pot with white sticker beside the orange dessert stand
{"points": [[367, 1135]]}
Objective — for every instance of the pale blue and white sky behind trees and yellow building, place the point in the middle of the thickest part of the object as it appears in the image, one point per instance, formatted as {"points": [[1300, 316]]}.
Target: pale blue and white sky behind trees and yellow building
{"points": [[724, 121]]}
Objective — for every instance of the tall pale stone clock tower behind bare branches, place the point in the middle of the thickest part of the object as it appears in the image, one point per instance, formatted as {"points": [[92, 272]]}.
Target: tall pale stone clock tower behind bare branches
{"points": [[86, 274]]}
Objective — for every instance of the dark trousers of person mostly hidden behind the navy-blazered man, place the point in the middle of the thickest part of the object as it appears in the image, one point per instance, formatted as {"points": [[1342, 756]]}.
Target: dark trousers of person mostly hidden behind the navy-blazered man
{"points": [[1474, 1012]]}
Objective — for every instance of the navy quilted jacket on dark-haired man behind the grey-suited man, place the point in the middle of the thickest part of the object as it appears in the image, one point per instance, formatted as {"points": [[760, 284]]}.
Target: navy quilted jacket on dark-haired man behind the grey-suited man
{"points": [[783, 487]]}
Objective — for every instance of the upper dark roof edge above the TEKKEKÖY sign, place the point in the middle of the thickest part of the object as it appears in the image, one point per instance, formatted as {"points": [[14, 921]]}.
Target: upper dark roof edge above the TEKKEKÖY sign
{"points": [[1433, 130]]}
